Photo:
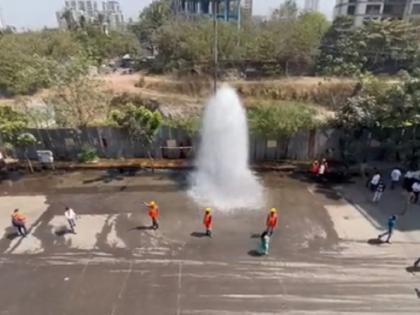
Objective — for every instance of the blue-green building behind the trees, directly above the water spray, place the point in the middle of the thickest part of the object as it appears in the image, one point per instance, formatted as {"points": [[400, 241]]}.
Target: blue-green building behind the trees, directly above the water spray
{"points": [[227, 10]]}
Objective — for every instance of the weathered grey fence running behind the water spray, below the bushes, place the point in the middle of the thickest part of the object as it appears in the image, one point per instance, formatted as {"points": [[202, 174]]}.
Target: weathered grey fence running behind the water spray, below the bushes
{"points": [[114, 143]]}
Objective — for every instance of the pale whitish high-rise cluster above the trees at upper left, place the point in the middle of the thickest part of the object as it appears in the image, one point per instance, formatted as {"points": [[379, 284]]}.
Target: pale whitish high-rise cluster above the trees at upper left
{"points": [[109, 14]]}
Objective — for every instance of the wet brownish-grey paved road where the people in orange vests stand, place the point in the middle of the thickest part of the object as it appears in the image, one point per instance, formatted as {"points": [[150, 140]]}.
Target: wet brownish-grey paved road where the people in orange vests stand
{"points": [[320, 260]]}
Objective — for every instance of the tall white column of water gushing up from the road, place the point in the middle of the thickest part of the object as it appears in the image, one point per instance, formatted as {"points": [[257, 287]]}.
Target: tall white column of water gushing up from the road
{"points": [[223, 179]]}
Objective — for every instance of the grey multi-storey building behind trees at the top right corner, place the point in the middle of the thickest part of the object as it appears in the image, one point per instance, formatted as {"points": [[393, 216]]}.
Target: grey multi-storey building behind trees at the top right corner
{"points": [[363, 10]]}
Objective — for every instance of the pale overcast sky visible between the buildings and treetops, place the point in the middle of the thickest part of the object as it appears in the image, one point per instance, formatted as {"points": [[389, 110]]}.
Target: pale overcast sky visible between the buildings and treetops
{"points": [[40, 13]]}
